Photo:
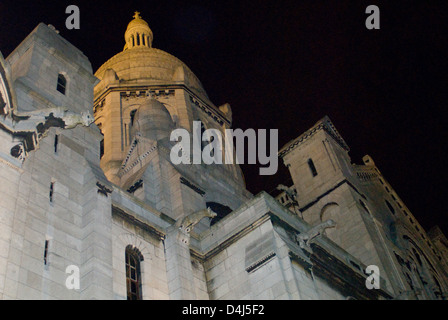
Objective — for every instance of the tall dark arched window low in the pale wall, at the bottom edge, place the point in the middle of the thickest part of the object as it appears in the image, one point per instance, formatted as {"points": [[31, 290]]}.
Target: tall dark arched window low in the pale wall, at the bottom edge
{"points": [[133, 273]]}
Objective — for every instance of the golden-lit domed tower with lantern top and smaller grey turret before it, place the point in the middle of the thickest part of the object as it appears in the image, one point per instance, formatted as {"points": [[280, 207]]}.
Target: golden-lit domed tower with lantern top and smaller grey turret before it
{"points": [[144, 94]]}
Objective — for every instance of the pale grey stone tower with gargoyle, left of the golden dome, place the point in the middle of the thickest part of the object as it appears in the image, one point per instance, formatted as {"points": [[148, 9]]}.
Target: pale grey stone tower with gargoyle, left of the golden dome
{"points": [[51, 173]]}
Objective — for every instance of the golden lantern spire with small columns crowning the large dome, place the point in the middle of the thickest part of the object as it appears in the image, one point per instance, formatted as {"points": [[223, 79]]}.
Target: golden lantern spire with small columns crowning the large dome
{"points": [[138, 34]]}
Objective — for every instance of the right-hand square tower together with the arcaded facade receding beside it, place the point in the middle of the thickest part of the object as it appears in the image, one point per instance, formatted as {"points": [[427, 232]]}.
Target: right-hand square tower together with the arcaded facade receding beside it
{"points": [[372, 222]]}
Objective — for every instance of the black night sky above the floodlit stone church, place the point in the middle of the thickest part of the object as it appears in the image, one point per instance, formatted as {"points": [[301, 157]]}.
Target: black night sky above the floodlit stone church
{"points": [[286, 64]]}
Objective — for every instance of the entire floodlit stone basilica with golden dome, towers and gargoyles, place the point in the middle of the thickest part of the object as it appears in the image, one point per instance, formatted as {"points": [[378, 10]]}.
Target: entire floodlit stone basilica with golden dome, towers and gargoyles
{"points": [[93, 207]]}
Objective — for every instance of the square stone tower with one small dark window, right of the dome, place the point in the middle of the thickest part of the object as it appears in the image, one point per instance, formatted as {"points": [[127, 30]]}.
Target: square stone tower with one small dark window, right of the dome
{"points": [[319, 164]]}
